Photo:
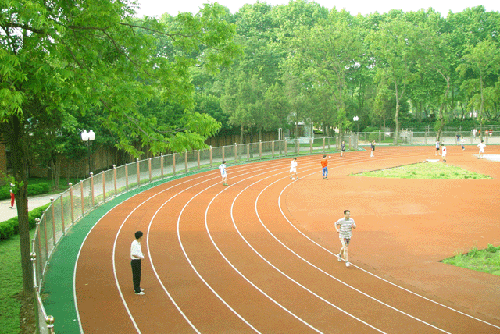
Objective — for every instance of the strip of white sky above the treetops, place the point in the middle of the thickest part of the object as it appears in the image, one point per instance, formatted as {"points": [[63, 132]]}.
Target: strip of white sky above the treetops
{"points": [[158, 7]]}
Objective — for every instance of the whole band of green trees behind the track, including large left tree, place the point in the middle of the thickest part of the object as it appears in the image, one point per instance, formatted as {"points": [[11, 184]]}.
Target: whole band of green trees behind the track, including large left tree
{"points": [[148, 85]]}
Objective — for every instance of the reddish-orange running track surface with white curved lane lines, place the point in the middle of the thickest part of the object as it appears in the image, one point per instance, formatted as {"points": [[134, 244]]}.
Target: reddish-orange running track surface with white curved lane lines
{"points": [[258, 256]]}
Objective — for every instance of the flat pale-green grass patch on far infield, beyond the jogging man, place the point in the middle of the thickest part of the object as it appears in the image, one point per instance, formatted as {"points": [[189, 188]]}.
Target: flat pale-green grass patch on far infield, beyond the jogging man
{"points": [[425, 170]]}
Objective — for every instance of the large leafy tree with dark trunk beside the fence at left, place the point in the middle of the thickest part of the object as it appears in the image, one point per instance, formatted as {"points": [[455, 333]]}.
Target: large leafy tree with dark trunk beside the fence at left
{"points": [[63, 58]]}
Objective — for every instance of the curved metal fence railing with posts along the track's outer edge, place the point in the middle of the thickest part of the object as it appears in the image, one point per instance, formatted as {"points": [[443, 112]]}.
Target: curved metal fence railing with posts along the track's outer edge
{"points": [[80, 199]]}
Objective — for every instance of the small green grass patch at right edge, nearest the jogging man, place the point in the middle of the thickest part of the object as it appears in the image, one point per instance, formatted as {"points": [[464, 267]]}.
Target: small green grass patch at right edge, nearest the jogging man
{"points": [[484, 260]]}
